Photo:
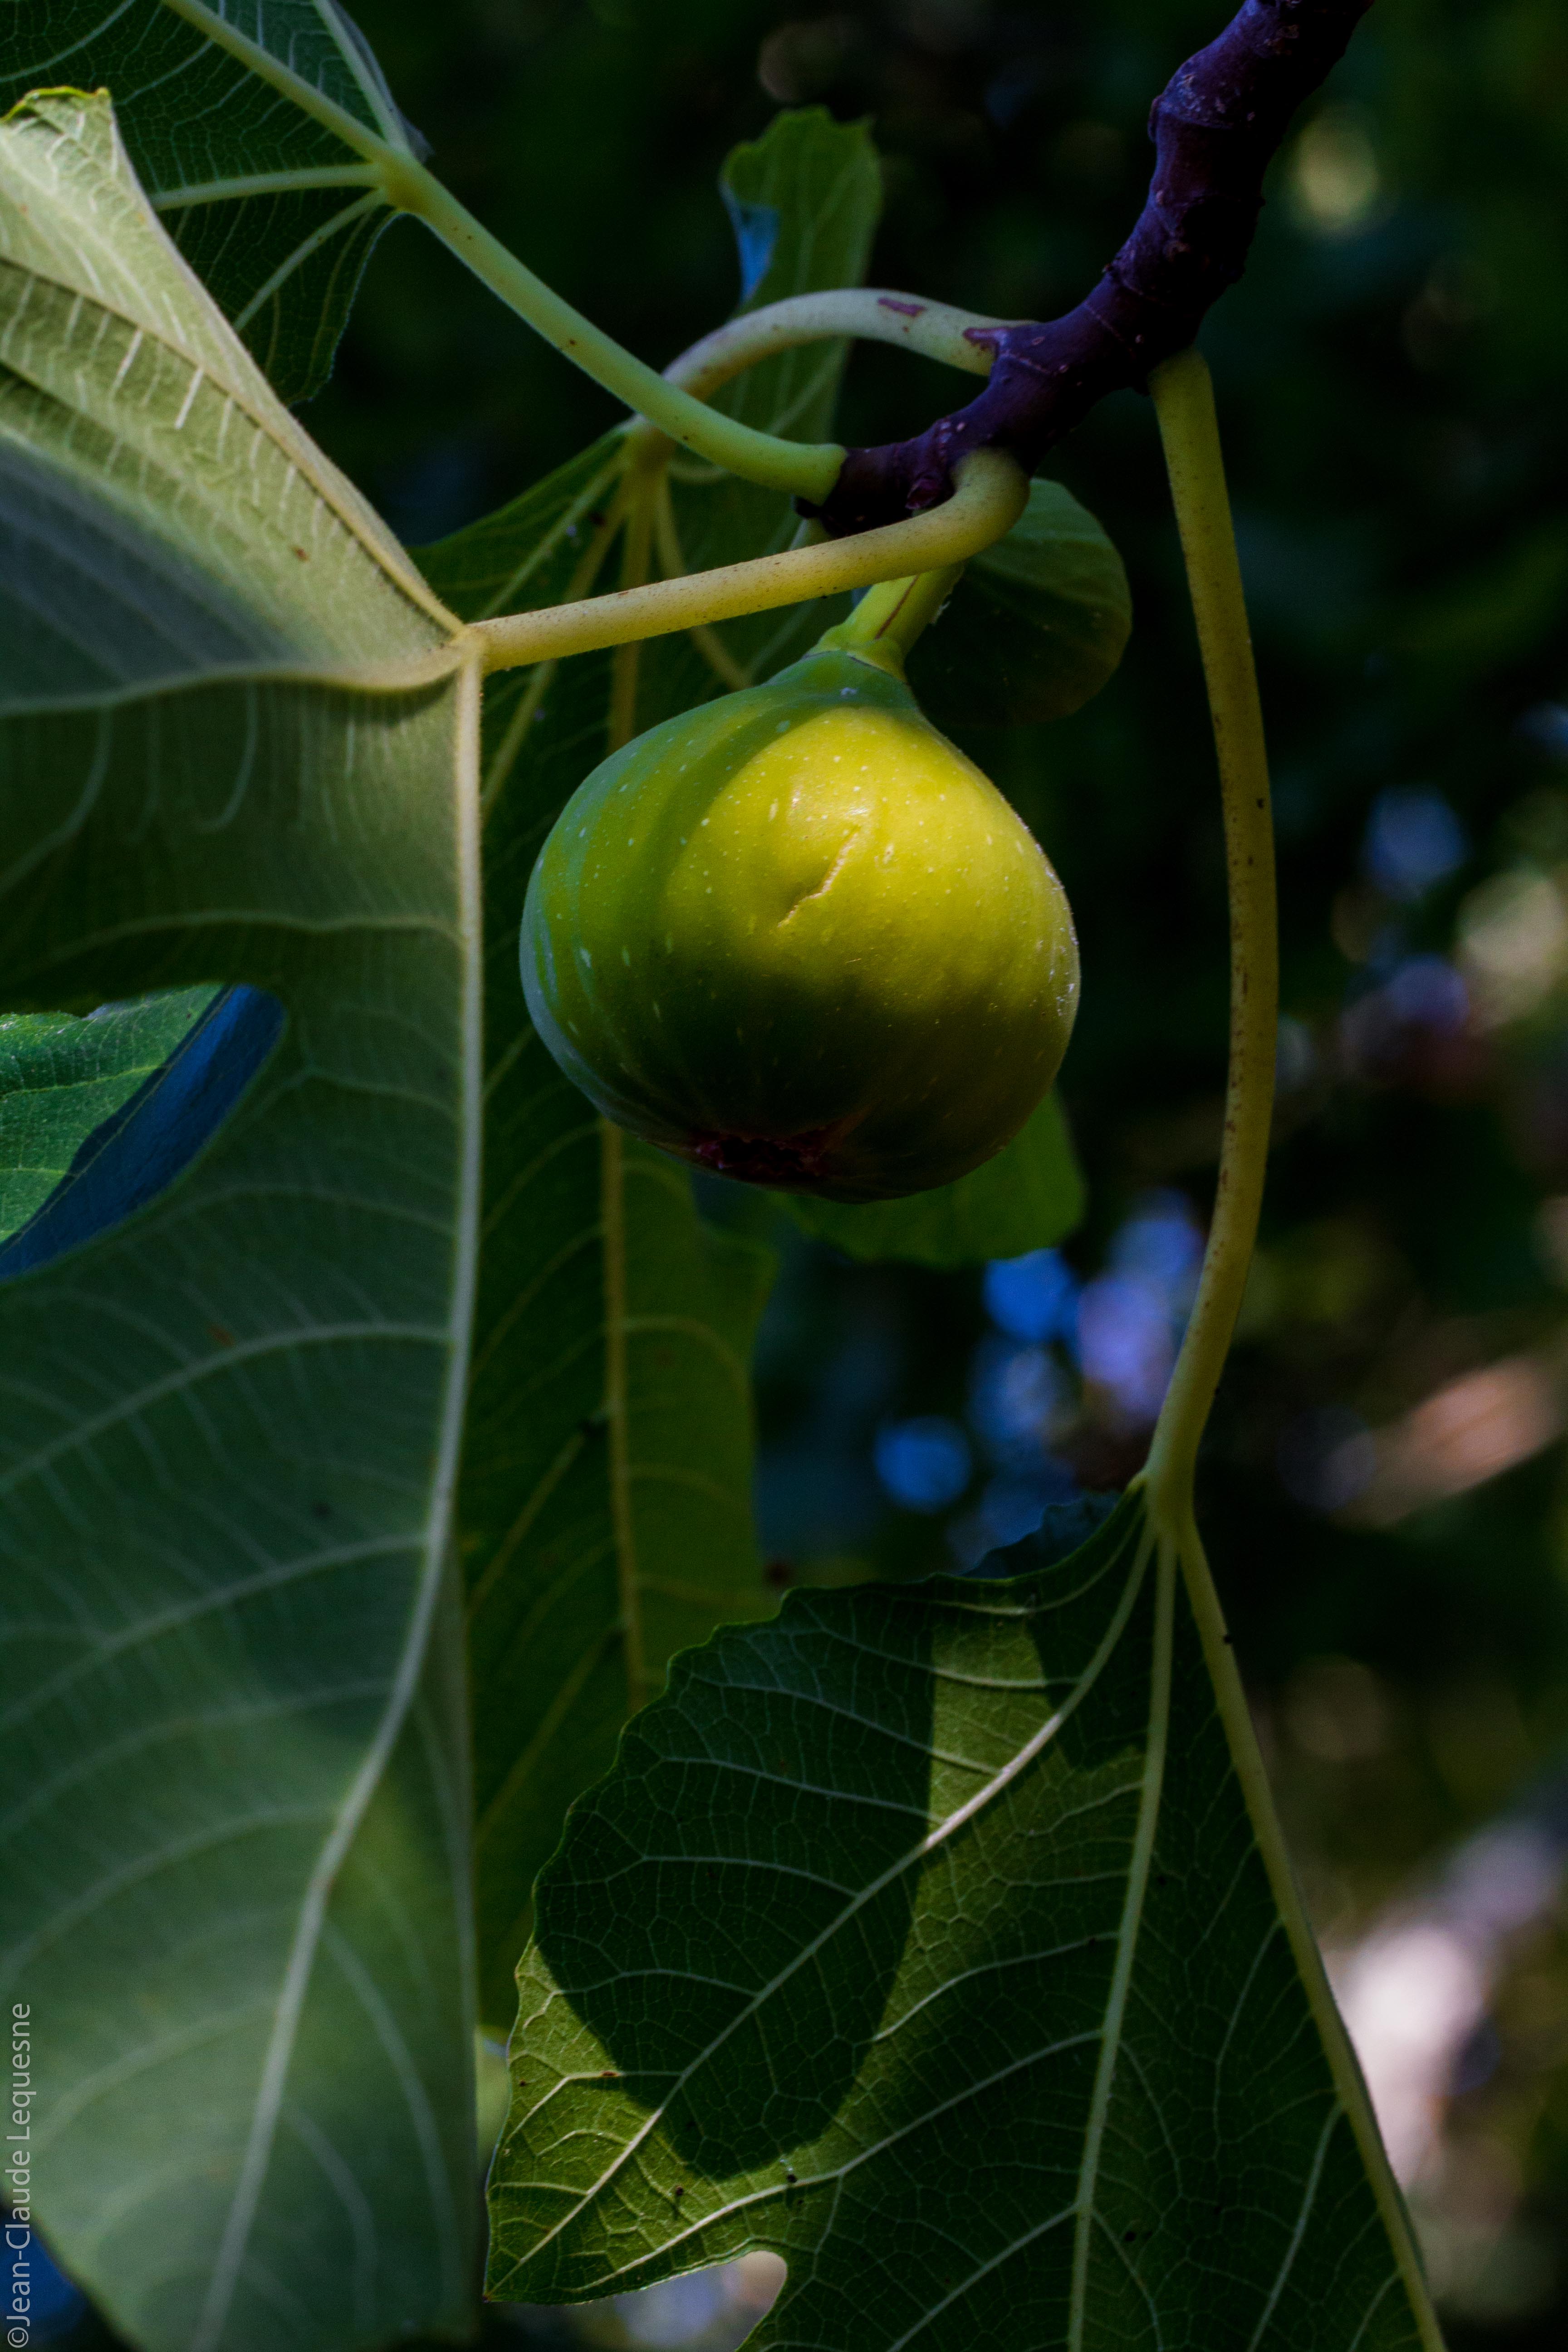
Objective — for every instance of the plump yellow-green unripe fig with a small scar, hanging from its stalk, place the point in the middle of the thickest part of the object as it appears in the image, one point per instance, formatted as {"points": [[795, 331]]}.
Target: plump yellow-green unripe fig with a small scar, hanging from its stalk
{"points": [[800, 940]]}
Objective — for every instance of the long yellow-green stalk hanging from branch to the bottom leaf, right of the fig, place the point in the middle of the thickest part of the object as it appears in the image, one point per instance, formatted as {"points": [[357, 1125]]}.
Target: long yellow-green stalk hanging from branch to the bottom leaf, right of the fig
{"points": [[1184, 403]]}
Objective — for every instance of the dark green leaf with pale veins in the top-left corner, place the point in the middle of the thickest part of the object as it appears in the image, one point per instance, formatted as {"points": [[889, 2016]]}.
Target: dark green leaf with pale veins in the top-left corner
{"points": [[255, 128]]}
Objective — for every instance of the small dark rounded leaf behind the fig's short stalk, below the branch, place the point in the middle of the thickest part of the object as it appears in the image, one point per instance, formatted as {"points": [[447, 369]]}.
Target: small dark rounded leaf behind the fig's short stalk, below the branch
{"points": [[1036, 627]]}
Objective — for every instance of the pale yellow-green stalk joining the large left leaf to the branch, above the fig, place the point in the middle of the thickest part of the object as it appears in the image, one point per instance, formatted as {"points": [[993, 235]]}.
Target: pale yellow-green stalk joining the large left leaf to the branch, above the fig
{"points": [[989, 502]]}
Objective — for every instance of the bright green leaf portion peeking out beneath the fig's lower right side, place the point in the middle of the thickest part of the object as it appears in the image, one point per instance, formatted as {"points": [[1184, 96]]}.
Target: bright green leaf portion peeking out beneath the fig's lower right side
{"points": [[1026, 1198]]}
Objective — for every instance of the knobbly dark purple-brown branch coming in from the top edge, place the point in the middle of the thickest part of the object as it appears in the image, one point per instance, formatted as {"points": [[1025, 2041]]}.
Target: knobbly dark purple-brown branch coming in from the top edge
{"points": [[1214, 128]]}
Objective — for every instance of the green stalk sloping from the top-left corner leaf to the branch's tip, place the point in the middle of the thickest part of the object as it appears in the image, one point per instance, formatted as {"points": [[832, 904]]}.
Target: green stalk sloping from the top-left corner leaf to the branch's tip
{"points": [[805, 469]]}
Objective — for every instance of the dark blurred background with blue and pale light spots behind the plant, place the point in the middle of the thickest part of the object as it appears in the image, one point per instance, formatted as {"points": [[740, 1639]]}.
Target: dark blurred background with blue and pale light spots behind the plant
{"points": [[1386, 1483]]}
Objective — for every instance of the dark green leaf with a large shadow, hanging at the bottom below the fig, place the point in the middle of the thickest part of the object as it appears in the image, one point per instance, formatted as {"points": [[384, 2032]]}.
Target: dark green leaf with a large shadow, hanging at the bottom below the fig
{"points": [[939, 1937]]}
